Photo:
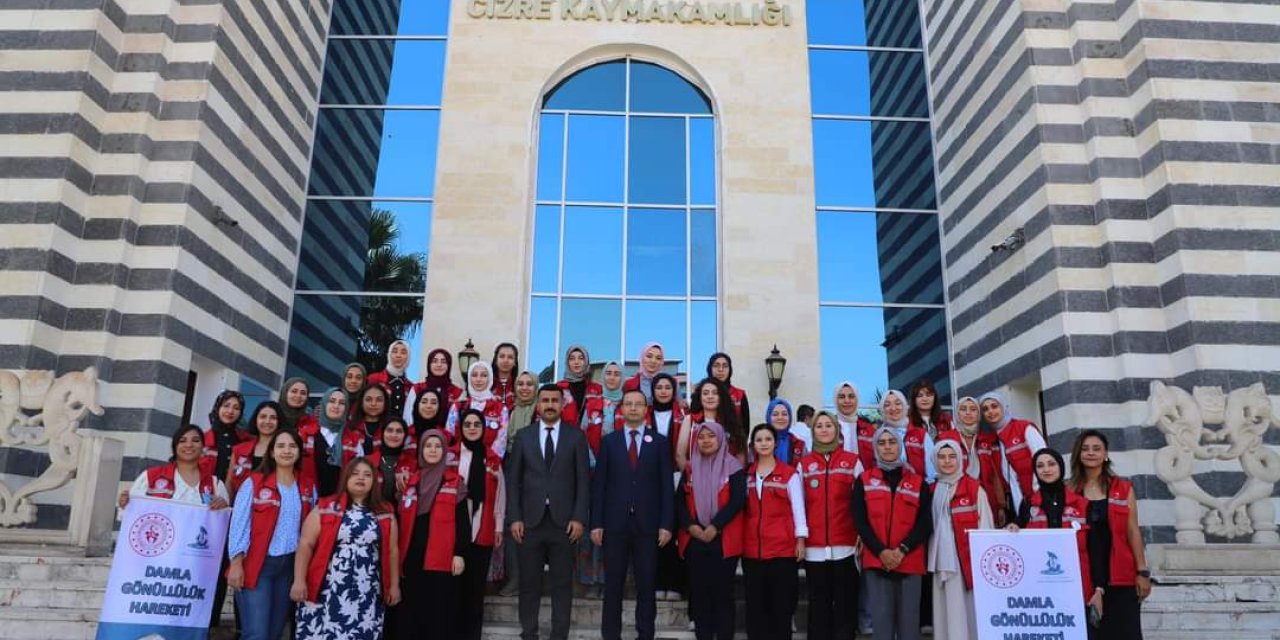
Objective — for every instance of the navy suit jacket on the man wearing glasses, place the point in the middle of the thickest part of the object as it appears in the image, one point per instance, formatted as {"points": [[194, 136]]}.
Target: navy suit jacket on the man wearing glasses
{"points": [[648, 491]]}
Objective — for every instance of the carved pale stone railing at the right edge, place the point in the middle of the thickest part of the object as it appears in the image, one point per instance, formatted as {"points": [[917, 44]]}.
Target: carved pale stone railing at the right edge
{"points": [[1209, 424]]}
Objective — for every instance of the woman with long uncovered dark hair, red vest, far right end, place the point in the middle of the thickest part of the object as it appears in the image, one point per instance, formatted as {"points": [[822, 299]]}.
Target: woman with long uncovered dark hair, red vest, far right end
{"points": [[1118, 560]]}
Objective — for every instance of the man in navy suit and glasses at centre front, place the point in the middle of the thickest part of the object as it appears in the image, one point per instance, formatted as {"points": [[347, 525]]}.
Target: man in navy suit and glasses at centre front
{"points": [[633, 513]]}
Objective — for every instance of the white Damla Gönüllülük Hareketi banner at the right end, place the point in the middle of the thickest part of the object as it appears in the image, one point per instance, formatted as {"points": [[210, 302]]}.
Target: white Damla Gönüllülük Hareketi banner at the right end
{"points": [[1027, 586]]}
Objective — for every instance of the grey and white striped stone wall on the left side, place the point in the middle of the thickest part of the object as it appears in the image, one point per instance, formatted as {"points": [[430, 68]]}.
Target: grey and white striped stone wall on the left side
{"points": [[153, 168]]}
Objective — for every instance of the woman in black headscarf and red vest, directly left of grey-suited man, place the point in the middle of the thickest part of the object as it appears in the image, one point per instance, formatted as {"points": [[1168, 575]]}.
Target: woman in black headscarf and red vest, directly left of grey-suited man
{"points": [[481, 470]]}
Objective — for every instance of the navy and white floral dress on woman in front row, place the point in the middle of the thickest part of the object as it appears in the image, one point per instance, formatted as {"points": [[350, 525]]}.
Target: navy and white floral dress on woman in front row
{"points": [[351, 597]]}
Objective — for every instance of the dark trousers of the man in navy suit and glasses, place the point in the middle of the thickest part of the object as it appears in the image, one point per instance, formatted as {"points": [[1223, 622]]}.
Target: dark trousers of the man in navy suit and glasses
{"points": [[637, 550]]}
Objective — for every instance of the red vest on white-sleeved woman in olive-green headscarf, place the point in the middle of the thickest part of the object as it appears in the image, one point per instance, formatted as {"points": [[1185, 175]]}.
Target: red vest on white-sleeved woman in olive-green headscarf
{"points": [[829, 499]]}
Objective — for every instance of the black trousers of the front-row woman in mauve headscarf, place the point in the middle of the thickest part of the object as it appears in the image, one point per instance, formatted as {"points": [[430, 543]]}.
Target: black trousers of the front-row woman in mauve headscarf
{"points": [[711, 589]]}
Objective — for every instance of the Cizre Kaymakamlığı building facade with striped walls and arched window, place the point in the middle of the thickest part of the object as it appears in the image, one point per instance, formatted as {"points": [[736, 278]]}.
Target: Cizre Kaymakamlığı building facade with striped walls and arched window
{"points": [[205, 195]]}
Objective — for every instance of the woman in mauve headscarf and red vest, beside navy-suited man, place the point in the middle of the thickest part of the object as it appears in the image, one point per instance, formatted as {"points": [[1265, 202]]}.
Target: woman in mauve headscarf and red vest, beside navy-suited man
{"points": [[710, 513]]}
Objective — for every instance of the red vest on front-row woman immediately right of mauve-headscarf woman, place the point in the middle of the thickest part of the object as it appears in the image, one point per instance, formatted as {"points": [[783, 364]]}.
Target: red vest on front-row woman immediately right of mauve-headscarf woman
{"points": [[769, 529]]}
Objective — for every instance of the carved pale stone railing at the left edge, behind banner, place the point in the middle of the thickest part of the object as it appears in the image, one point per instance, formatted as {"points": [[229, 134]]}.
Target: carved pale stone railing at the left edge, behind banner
{"points": [[43, 414]]}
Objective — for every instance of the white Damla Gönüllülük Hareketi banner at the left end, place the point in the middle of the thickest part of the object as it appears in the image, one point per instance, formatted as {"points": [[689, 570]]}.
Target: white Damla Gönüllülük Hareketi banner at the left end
{"points": [[164, 573]]}
